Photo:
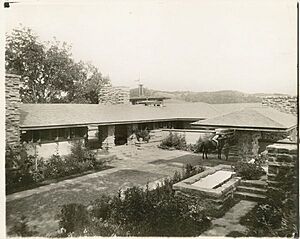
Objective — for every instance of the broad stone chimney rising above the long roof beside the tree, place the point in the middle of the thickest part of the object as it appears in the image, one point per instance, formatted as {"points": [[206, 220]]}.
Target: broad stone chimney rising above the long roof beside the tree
{"points": [[109, 94]]}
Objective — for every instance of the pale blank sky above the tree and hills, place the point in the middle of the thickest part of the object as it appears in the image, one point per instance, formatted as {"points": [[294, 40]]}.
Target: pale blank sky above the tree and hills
{"points": [[210, 45]]}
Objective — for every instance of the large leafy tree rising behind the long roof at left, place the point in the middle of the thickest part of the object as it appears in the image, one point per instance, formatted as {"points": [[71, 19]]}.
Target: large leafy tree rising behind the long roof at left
{"points": [[48, 72]]}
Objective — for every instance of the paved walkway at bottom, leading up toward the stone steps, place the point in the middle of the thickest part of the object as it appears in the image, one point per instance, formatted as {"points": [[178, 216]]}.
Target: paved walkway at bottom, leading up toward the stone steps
{"points": [[230, 221]]}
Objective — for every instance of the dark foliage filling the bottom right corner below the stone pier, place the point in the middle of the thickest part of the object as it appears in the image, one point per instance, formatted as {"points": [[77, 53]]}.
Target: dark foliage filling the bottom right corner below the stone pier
{"points": [[277, 216]]}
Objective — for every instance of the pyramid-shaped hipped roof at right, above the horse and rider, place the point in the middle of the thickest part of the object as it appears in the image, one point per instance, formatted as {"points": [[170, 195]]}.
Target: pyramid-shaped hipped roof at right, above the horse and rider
{"points": [[259, 117]]}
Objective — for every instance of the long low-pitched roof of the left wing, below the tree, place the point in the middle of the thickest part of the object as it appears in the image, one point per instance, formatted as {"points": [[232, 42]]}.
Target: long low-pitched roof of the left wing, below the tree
{"points": [[49, 115]]}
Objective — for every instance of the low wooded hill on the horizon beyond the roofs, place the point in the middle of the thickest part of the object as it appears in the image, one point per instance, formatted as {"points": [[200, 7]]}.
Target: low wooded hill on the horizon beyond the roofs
{"points": [[214, 97]]}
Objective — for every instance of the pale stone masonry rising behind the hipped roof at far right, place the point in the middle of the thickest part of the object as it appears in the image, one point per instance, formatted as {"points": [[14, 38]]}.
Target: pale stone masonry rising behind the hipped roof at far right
{"points": [[287, 104]]}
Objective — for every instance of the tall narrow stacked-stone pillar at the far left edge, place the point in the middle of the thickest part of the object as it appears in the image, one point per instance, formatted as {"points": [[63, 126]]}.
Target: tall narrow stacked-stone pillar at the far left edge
{"points": [[12, 109]]}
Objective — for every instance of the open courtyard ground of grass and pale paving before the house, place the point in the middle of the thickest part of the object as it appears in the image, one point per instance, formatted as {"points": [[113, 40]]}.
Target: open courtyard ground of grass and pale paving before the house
{"points": [[134, 166]]}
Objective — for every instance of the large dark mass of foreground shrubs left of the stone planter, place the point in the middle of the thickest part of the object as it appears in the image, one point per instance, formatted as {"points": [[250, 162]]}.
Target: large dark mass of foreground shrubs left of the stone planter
{"points": [[140, 212]]}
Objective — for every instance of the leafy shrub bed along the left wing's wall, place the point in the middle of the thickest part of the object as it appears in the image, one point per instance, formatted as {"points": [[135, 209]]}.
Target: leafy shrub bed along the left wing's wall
{"points": [[23, 170]]}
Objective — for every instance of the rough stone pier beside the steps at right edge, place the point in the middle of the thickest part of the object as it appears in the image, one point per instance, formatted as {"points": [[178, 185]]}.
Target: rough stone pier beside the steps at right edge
{"points": [[282, 157]]}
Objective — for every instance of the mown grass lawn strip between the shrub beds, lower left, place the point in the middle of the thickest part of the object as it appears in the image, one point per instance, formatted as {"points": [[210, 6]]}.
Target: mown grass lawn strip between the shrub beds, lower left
{"points": [[40, 209]]}
